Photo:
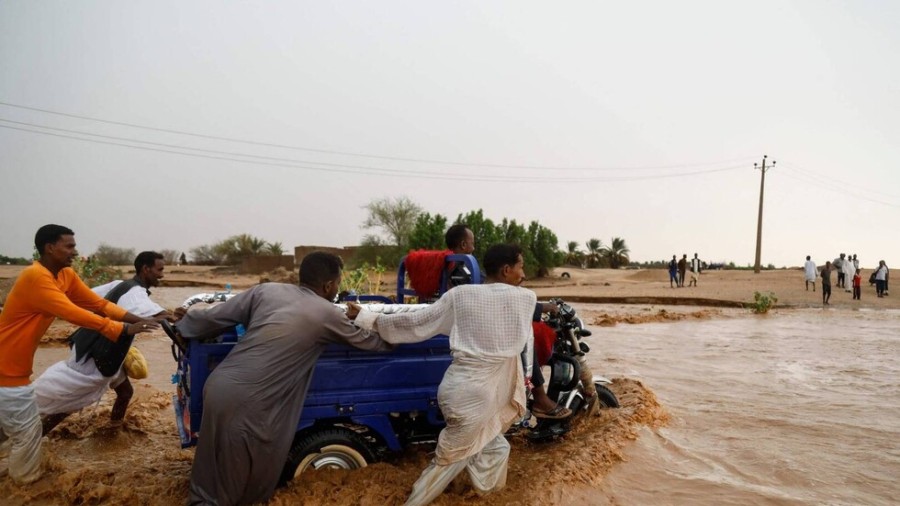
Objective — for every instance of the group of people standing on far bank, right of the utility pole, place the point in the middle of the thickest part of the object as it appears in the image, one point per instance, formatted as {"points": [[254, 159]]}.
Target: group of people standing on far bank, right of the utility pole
{"points": [[847, 270]]}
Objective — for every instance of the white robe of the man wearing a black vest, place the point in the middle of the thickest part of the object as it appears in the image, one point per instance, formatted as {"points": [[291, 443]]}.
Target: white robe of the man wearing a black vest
{"points": [[68, 386]]}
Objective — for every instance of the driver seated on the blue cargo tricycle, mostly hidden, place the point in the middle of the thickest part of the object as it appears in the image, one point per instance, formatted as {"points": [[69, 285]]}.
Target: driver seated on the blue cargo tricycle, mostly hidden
{"points": [[461, 241]]}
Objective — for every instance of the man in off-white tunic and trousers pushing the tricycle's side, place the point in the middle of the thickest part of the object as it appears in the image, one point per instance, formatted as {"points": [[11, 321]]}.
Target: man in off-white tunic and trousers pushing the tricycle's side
{"points": [[481, 393]]}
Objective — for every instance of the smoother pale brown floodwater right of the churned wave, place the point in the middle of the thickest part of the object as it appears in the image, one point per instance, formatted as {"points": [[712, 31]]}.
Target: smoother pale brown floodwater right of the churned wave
{"points": [[795, 407]]}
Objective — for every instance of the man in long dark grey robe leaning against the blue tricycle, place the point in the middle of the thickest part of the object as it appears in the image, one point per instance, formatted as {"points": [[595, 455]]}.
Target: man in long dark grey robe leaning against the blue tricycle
{"points": [[253, 399]]}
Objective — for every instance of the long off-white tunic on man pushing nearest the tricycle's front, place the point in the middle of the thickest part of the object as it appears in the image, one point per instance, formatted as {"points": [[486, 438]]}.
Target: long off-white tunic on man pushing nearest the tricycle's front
{"points": [[483, 389]]}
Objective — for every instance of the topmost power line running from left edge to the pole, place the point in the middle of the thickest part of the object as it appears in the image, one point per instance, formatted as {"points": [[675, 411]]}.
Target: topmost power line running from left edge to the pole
{"points": [[362, 155]]}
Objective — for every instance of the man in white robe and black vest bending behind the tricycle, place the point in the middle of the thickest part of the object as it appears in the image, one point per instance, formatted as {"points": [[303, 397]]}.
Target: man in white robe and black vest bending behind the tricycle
{"points": [[75, 383]]}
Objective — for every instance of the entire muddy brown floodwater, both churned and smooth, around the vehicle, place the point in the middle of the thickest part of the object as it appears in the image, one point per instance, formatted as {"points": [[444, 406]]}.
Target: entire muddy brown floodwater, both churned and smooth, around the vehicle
{"points": [[718, 407]]}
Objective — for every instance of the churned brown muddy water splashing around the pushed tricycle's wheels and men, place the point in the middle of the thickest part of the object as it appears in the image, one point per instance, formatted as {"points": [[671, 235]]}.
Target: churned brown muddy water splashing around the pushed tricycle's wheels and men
{"points": [[142, 463]]}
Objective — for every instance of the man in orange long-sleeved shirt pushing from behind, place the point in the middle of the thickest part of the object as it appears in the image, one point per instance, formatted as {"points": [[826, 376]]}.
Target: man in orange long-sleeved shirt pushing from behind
{"points": [[46, 290]]}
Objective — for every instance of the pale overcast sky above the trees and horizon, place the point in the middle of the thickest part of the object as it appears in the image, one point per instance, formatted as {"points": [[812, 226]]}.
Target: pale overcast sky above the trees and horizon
{"points": [[639, 120]]}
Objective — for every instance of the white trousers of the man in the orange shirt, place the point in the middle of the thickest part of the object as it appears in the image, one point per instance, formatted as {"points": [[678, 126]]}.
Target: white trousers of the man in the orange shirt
{"points": [[20, 423]]}
